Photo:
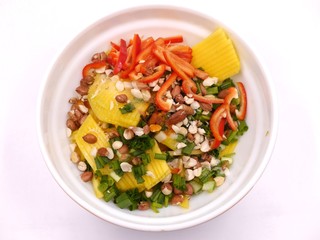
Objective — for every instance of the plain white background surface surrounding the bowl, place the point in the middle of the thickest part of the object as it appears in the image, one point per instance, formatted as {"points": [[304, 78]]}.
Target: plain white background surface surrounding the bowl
{"points": [[284, 204]]}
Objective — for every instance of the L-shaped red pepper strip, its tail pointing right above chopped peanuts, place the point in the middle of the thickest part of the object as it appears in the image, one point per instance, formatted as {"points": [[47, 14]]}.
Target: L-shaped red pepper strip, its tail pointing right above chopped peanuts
{"points": [[189, 87]]}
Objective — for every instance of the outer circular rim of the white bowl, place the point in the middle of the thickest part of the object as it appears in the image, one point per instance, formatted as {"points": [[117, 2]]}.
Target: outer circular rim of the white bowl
{"points": [[247, 187]]}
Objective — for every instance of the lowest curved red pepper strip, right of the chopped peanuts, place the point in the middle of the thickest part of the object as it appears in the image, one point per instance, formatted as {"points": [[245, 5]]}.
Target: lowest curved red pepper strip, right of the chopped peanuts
{"points": [[215, 122]]}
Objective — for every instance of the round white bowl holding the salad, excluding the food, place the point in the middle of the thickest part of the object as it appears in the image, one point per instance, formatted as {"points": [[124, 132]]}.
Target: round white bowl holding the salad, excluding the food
{"points": [[253, 151]]}
